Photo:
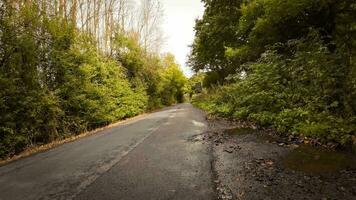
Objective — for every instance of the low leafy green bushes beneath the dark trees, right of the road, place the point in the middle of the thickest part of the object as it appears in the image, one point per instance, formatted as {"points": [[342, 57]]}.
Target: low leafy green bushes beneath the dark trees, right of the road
{"points": [[291, 94]]}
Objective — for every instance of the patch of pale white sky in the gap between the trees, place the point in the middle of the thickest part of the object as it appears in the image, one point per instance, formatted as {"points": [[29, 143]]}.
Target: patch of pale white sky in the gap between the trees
{"points": [[178, 28]]}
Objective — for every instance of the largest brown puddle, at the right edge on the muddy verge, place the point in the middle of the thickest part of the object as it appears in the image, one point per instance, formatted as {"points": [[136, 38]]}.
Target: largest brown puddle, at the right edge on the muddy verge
{"points": [[314, 160]]}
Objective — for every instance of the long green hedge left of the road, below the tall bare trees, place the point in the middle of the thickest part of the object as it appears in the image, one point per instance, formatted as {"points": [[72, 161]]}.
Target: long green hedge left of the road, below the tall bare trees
{"points": [[55, 82]]}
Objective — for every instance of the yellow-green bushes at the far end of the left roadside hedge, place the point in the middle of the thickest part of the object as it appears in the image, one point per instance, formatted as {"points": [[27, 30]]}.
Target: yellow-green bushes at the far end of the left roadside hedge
{"points": [[160, 78]]}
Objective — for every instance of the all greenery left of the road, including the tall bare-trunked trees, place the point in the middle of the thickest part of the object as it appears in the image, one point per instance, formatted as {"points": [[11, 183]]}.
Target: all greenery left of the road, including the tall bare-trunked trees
{"points": [[70, 66]]}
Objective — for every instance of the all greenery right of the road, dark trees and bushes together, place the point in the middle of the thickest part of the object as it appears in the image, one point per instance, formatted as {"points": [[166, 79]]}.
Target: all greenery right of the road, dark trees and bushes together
{"points": [[289, 65]]}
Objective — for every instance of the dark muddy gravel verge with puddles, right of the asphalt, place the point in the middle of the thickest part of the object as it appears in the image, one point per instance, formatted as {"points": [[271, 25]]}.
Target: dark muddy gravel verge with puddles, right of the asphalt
{"points": [[257, 164]]}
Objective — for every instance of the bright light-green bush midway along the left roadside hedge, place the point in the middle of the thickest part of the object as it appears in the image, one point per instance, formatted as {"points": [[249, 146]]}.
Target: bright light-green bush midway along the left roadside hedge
{"points": [[95, 81]]}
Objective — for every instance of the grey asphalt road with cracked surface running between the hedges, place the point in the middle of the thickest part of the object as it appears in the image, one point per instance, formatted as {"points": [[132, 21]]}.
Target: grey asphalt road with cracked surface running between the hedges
{"points": [[151, 157]]}
